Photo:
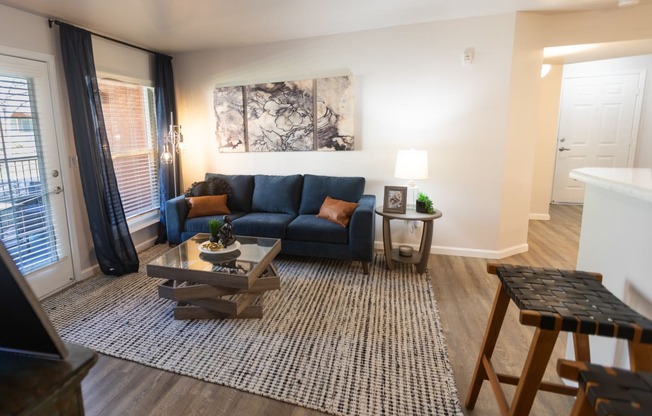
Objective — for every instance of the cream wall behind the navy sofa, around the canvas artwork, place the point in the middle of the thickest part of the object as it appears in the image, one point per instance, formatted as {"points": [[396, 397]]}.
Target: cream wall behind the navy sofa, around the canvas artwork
{"points": [[411, 91]]}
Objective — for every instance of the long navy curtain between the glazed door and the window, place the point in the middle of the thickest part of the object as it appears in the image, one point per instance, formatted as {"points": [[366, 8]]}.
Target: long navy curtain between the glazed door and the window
{"points": [[114, 248]]}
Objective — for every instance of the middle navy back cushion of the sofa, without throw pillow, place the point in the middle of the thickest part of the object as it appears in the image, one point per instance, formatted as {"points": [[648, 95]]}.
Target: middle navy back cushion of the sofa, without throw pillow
{"points": [[280, 194]]}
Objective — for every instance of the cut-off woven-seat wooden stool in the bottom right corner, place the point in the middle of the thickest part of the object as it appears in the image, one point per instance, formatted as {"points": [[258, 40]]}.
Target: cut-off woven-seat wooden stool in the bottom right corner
{"points": [[605, 391]]}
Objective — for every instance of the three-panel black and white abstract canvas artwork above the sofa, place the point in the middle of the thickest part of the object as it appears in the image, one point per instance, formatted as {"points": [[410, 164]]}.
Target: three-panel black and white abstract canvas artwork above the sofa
{"points": [[285, 116]]}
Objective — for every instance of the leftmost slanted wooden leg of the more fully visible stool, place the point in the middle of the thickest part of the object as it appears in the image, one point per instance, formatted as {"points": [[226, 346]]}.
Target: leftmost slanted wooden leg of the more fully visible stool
{"points": [[498, 311]]}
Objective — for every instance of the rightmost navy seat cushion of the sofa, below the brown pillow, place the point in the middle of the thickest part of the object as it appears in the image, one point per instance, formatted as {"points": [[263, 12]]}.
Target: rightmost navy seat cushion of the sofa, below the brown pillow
{"points": [[318, 230]]}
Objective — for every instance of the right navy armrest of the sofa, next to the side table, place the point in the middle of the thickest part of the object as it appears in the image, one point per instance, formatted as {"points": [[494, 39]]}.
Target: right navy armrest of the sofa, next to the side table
{"points": [[362, 229]]}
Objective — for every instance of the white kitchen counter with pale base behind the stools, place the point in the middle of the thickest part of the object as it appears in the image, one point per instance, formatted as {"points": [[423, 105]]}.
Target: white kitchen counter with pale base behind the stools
{"points": [[616, 240]]}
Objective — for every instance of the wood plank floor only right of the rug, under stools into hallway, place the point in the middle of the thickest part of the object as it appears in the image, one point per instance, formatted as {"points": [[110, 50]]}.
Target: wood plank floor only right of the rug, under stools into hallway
{"points": [[465, 292]]}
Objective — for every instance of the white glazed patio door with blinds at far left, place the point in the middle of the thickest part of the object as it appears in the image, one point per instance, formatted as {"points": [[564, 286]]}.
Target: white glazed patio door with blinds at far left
{"points": [[33, 221]]}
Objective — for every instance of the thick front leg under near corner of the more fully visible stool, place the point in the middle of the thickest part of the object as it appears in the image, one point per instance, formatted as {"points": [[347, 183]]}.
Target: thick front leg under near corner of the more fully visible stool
{"points": [[541, 348]]}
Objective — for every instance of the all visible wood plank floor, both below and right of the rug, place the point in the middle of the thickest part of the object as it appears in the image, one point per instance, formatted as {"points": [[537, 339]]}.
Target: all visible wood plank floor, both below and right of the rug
{"points": [[464, 293]]}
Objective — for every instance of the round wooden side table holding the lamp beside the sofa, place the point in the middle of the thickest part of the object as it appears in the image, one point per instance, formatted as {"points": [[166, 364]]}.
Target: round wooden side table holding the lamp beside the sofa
{"points": [[420, 257]]}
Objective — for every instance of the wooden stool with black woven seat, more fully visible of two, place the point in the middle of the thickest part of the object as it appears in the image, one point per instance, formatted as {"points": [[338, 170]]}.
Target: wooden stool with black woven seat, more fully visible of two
{"points": [[553, 300]]}
